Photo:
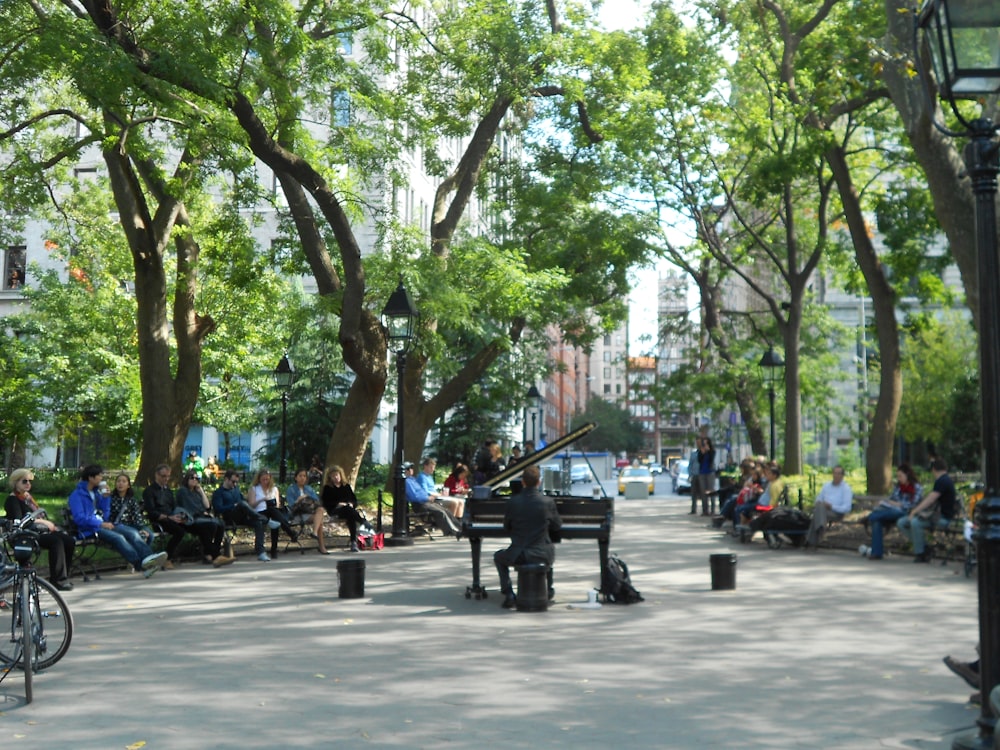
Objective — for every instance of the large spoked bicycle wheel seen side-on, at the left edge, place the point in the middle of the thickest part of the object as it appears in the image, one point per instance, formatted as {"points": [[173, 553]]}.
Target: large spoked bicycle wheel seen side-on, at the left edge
{"points": [[51, 628]]}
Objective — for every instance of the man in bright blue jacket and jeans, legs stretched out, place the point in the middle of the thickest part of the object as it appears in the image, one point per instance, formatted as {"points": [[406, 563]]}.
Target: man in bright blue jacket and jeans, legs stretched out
{"points": [[89, 509]]}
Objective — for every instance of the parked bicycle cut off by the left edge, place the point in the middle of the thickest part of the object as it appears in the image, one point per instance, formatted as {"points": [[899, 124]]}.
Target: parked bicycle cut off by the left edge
{"points": [[41, 626]]}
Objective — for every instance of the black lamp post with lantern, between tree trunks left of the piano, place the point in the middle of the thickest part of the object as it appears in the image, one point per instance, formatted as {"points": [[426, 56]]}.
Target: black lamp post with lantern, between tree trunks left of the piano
{"points": [[399, 317]]}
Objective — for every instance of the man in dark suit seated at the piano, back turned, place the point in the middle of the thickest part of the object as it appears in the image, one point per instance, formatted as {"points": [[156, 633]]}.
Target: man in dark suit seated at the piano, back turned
{"points": [[532, 520]]}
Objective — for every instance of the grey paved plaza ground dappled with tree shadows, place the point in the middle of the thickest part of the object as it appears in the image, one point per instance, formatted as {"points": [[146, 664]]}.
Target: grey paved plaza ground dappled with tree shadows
{"points": [[817, 650]]}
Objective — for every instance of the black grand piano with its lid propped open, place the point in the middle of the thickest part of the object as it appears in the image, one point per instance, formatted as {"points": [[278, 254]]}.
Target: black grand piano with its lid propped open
{"points": [[582, 517]]}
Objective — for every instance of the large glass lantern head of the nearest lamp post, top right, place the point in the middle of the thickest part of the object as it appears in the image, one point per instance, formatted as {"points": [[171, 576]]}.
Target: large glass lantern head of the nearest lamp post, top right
{"points": [[964, 39]]}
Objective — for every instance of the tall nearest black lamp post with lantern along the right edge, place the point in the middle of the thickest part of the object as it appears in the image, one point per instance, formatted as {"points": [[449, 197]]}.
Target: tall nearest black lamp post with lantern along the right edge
{"points": [[964, 41]]}
